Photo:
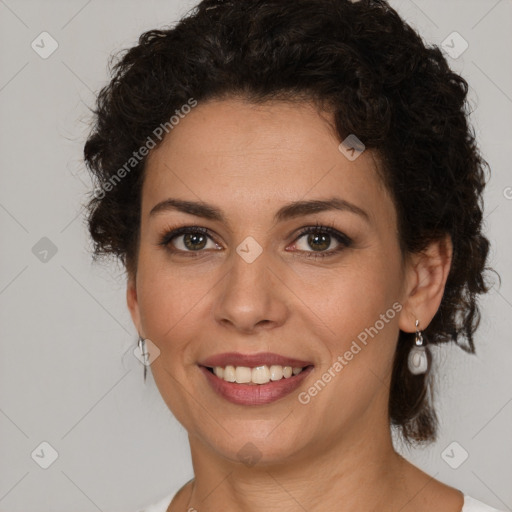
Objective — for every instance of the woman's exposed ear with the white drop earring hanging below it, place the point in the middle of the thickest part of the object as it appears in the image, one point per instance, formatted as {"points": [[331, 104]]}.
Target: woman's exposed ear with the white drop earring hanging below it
{"points": [[426, 275]]}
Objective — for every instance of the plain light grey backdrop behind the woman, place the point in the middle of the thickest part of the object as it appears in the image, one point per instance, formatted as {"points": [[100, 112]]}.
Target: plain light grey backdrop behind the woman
{"points": [[67, 374]]}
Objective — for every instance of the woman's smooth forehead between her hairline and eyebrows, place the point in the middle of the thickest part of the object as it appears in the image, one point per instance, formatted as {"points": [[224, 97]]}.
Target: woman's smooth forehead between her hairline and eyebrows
{"points": [[238, 154]]}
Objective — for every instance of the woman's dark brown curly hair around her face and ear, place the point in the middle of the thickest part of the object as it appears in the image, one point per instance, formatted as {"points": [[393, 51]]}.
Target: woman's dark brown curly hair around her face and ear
{"points": [[358, 61]]}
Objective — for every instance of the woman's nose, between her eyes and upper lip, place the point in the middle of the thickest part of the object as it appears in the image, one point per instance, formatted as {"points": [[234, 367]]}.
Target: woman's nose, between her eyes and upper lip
{"points": [[252, 297]]}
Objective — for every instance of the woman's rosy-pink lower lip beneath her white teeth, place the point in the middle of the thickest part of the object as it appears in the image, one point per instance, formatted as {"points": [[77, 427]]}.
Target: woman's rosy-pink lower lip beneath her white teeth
{"points": [[255, 394]]}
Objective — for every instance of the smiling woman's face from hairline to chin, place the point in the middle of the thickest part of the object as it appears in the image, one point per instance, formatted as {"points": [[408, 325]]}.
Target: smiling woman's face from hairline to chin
{"points": [[252, 284]]}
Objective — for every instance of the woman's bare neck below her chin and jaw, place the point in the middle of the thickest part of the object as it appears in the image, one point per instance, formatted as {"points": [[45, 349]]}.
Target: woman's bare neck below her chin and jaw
{"points": [[359, 469]]}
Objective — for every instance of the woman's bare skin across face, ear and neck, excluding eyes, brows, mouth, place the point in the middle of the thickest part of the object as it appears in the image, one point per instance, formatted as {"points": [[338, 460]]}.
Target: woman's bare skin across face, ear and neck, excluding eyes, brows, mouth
{"points": [[249, 161]]}
